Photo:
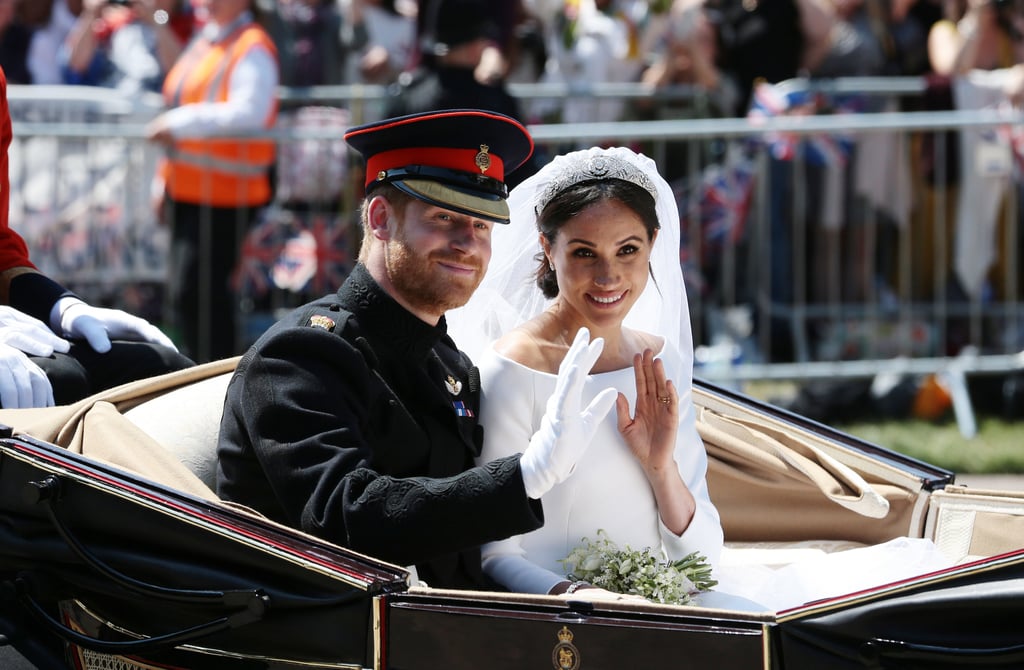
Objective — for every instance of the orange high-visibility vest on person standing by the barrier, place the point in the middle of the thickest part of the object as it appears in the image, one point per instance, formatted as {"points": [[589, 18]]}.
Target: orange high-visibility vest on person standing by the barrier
{"points": [[218, 173]]}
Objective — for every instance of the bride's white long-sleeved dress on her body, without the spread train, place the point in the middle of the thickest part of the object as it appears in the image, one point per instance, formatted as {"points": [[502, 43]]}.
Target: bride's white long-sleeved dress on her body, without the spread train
{"points": [[608, 490]]}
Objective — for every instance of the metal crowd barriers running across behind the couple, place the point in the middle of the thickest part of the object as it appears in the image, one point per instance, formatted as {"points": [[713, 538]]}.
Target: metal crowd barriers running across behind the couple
{"points": [[856, 289]]}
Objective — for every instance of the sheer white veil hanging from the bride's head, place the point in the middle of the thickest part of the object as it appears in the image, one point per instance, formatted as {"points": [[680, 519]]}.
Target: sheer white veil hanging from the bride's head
{"points": [[509, 296]]}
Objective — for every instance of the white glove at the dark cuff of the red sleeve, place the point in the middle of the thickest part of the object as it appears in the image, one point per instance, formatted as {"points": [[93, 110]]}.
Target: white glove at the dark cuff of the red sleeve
{"points": [[99, 325]]}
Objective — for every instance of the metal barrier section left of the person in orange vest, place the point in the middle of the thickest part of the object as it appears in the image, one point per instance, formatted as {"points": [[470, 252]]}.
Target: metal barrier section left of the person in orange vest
{"points": [[80, 181]]}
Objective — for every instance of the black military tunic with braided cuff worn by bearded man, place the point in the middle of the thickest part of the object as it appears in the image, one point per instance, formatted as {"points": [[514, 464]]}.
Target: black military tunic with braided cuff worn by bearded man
{"points": [[356, 422]]}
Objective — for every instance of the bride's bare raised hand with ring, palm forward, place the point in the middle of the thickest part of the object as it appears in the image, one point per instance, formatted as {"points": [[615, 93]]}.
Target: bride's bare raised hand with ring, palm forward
{"points": [[651, 432]]}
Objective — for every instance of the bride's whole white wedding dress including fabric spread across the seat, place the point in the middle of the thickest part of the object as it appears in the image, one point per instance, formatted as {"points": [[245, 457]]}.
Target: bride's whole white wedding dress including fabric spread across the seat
{"points": [[609, 491]]}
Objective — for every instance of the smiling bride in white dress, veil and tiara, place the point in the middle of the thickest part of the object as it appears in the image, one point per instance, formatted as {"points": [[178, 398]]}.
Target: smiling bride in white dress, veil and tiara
{"points": [[606, 260]]}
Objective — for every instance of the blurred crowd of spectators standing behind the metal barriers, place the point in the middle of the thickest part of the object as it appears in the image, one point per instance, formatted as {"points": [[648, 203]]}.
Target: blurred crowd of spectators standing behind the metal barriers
{"points": [[704, 59]]}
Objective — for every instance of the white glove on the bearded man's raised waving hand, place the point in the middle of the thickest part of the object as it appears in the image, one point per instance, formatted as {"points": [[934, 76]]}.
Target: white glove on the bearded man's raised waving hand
{"points": [[566, 433]]}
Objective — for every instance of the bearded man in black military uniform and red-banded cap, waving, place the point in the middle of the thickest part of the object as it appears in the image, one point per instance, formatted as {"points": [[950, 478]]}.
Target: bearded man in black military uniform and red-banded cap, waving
{"points": [[355, 418]]}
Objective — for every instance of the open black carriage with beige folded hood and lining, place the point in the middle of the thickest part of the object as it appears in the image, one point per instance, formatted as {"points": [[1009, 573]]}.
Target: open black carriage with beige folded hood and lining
{"points": [[115, 554]]}
